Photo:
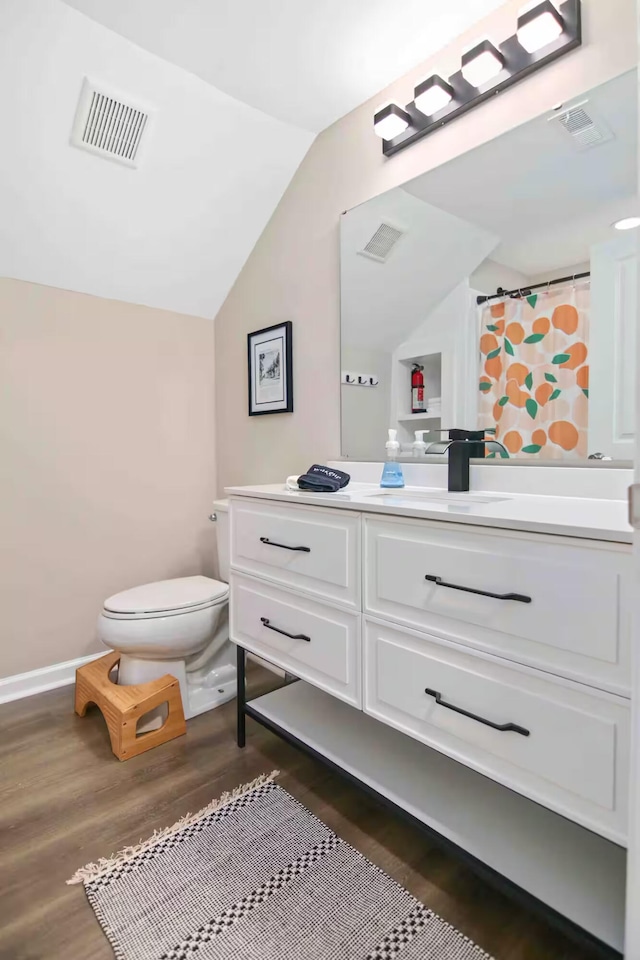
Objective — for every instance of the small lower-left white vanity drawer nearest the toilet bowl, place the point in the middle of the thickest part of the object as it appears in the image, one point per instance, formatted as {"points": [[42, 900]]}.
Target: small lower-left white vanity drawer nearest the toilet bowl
{"points": [[316, 642]]}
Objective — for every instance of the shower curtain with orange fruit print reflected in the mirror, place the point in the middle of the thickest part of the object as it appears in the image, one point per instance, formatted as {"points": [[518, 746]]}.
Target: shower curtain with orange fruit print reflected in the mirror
{"points": [[534, 375]]}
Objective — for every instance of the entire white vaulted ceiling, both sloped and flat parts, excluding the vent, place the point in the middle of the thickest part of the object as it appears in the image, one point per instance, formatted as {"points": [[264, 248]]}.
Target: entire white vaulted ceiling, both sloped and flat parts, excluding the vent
{"points": [[237, 90]]}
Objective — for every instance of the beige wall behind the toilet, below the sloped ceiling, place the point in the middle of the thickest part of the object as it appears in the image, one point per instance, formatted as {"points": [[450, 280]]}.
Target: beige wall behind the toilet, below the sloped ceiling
{"points": [[107, 467]]}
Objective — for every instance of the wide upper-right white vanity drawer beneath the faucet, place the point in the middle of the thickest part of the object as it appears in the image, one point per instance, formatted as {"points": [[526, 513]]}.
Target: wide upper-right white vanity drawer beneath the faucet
{"points": [[576, 623]]}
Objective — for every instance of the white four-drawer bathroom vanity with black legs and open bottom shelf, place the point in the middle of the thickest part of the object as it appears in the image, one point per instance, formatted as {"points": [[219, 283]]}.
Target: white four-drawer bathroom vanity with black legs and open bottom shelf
{"points": [[464, 657]]}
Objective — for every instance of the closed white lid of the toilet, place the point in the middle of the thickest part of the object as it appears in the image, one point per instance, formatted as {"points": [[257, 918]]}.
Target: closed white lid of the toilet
{"points": [[179, 594]]}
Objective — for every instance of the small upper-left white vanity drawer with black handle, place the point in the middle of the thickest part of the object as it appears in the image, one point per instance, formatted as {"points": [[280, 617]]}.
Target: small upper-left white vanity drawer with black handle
{"points": [[314, 549]]}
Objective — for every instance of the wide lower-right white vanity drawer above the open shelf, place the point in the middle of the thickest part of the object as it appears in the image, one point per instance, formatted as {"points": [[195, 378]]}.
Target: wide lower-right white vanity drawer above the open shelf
{"points": [[574, 758]]}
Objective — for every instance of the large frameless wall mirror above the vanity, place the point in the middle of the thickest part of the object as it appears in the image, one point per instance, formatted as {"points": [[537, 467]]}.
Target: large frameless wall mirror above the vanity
{"points": [[497, 293]]}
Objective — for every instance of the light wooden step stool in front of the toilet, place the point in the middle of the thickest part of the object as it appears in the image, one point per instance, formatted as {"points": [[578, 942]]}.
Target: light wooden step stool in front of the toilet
{"points": [[122, 706]]}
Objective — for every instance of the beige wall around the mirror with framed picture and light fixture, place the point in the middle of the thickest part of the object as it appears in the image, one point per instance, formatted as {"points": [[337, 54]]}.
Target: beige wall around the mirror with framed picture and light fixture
{"points": [[293, 272]]}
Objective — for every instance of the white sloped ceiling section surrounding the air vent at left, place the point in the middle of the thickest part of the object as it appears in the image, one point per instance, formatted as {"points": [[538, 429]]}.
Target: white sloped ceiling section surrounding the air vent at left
{"points": [[173, 233]]}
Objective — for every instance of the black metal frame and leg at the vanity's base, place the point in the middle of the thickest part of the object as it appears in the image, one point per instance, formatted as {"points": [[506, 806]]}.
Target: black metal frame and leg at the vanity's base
{"points": [[501, 883]]}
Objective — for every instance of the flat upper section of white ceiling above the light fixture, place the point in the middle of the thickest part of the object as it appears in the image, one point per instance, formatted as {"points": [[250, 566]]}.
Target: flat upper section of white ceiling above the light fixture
{"points": [[307, 62]]}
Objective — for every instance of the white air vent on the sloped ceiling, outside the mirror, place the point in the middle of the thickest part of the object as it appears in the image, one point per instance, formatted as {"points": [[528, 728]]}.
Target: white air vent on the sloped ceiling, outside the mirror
{"points": [[109, 124]]}
